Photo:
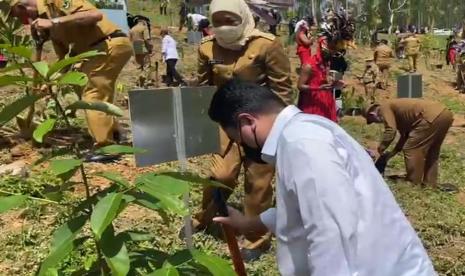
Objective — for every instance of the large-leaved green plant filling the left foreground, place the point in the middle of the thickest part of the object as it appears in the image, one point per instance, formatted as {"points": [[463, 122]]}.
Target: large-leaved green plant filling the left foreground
{"points": [[90, 227]]}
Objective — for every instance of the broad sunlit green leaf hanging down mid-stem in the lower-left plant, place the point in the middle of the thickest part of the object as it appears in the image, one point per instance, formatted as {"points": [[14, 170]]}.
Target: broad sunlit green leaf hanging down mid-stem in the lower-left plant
{"points": [[104, 213]]}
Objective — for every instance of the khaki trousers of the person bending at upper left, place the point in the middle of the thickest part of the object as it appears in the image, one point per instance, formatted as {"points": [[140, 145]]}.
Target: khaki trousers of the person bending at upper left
{"points": [[103, 72]]}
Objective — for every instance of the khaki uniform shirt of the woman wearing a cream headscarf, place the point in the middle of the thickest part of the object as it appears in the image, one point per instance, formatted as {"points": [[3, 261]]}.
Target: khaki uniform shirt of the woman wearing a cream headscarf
{"points": [[262, 61]]}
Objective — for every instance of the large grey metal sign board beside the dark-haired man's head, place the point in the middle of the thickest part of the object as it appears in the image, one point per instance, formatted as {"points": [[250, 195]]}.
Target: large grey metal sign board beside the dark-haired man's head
{"points": [[170, 120]]}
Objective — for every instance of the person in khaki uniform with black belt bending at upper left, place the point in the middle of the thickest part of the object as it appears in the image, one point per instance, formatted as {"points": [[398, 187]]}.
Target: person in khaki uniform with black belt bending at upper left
{"points": [[74, 27]]}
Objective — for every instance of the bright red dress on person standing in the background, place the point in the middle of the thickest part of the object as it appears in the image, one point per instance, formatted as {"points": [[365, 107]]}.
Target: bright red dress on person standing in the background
{"points": [[318, 101]]}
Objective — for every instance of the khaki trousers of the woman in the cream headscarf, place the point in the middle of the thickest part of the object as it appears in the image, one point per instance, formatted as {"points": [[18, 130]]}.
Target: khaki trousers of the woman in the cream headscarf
{"points": [[258, 189]]}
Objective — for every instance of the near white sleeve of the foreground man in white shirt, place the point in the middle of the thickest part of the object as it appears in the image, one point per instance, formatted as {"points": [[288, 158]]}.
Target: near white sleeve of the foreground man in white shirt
{"points": [[327, 202]]}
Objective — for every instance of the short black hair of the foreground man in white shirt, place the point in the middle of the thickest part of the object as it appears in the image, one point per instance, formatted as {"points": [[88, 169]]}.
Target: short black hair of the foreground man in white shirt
{"points": [[238, 96]]}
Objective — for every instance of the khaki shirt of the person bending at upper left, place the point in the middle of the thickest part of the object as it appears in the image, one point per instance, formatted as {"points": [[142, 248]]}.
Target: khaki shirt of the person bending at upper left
{"points": [[79, 38]]}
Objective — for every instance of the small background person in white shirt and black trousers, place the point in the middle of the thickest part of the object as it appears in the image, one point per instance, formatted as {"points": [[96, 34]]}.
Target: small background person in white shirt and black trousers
{"points": [[170, 55]]}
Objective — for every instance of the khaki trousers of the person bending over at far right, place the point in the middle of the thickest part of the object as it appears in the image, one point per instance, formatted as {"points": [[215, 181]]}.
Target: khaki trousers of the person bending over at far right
{"points": [[421, 151]]}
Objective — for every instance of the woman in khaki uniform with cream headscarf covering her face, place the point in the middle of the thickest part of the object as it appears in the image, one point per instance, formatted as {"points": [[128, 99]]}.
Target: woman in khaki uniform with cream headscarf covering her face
{"points": [[237, 49]]}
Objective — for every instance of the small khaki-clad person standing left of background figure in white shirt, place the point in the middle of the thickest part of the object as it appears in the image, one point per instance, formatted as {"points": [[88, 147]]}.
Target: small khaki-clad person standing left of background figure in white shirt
{"points": [[140, 38]]}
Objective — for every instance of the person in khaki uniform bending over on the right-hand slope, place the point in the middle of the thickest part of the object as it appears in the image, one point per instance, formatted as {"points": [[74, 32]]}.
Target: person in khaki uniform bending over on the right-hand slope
{"points": [[422, 125]]}
